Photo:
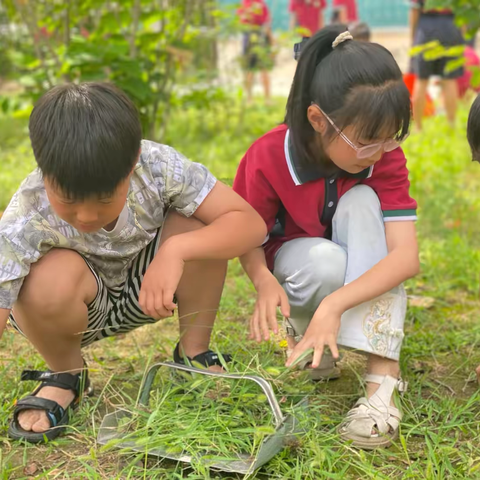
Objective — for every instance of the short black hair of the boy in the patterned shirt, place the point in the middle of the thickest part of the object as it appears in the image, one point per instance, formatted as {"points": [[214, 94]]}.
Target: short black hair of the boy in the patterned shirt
{"points": [[85, 138]]}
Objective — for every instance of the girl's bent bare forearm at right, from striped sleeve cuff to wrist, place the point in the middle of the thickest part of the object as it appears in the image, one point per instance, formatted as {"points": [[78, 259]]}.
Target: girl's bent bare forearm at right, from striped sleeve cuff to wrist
{"points": [[400, 264]]}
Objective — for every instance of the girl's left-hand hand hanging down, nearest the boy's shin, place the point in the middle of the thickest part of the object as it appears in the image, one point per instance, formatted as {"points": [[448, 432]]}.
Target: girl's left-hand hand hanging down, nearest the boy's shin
{"points": [[270, 296]]}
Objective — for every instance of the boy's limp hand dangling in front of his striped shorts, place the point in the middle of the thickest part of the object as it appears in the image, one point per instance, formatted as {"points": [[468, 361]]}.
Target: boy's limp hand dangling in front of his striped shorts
{"points": [[160, 283]]}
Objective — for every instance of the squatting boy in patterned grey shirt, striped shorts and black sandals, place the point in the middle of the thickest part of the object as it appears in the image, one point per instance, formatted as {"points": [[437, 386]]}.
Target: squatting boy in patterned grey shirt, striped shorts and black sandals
{"points": [[102, 238]]}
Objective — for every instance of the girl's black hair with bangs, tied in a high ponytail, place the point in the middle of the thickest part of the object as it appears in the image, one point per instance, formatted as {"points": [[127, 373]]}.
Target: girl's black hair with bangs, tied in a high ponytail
{"points": [[356, 83]]}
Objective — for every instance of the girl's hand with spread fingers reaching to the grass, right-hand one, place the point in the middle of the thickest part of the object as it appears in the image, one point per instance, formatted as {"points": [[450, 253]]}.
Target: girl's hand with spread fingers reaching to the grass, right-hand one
{"points": [[323, 330]]}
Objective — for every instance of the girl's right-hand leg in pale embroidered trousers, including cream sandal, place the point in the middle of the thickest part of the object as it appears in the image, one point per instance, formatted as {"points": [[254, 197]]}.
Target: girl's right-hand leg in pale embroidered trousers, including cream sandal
{"points": [[375, 327]]}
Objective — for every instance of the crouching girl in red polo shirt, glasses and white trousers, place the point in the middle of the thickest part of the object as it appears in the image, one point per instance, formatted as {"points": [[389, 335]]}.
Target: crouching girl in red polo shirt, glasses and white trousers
{"points": [[332, 185]]}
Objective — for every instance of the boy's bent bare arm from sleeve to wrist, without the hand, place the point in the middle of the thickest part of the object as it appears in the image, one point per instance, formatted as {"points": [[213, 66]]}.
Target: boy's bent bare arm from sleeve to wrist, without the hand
{"points": [[232, 228]]}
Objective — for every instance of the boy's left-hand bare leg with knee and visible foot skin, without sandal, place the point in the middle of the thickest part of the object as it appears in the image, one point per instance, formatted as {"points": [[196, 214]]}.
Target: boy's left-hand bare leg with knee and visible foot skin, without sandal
{"points": [[52, 312]]}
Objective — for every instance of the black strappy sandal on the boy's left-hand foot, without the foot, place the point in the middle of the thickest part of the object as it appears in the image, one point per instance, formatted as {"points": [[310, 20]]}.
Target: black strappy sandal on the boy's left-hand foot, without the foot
{"points": [[57, 415]]}
